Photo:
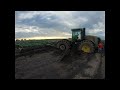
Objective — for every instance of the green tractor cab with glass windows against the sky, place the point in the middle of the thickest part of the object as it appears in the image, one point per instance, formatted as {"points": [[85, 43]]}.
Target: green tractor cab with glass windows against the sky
{"points": [[78, 34]]}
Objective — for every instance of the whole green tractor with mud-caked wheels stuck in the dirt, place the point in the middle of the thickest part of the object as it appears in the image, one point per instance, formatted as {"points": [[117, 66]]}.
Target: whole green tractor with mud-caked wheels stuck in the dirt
{"points": [[80, 41]]}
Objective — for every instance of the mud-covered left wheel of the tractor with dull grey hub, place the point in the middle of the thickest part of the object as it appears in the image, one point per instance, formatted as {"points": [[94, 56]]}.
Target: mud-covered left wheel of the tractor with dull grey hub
{"points": [[63, 45]]}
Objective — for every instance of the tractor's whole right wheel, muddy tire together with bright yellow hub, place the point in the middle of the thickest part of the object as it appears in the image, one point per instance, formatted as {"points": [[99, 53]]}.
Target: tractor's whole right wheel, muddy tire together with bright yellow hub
{"points": [[86, 46]]}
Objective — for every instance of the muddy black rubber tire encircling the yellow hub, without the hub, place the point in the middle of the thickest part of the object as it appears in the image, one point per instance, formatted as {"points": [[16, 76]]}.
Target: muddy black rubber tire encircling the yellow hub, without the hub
{"points": [[89, 44]]}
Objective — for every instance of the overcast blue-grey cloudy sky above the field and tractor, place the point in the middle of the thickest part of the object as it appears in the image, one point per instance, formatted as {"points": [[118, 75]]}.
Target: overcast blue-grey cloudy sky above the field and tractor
{"points": [[58, 24]]}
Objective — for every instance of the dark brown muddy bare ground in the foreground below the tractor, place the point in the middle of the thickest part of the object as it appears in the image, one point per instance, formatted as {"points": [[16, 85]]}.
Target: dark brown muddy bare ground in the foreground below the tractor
{"points": [[46, 64]]}
